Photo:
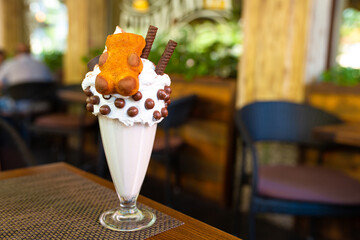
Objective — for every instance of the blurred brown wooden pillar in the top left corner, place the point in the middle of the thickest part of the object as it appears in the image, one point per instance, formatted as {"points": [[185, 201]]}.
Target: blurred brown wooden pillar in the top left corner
{"points": [[12, 25]]}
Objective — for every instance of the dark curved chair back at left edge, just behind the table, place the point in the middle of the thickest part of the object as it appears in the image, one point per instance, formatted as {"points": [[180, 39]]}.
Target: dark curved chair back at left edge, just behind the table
{"points": [[13, 151]]}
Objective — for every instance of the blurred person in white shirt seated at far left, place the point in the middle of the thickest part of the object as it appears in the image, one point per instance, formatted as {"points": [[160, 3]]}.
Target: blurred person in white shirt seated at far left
{"points": [[23, 68]]}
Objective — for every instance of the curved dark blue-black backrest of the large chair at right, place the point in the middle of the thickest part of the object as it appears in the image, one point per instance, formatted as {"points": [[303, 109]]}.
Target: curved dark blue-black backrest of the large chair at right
{"points": [[281, 121]]}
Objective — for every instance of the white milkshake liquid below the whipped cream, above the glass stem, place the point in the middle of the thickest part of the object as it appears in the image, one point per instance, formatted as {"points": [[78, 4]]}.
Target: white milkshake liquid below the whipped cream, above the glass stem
{"points": [[128, 150]]}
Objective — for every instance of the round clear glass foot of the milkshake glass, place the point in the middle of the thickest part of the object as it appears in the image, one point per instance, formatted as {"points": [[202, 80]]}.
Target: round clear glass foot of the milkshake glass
{"points": [[115, 220]]}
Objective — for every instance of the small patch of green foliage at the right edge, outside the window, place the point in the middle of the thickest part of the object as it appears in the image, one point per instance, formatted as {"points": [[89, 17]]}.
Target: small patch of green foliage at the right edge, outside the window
{"points": [[342, 76]]}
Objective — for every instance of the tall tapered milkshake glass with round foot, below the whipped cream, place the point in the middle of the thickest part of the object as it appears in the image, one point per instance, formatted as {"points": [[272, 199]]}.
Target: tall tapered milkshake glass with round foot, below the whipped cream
{"points": [[128, 150]]}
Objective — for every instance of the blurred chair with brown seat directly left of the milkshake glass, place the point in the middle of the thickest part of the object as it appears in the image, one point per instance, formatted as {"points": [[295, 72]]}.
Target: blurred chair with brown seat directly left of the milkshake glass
{"points": [[70, 120]]}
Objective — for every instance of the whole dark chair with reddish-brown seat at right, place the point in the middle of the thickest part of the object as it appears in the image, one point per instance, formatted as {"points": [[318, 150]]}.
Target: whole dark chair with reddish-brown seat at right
{"points": [[294, 190]]}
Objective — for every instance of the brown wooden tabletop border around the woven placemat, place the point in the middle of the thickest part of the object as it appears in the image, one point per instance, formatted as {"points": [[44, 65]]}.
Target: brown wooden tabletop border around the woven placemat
{"points": [[191, 229]]}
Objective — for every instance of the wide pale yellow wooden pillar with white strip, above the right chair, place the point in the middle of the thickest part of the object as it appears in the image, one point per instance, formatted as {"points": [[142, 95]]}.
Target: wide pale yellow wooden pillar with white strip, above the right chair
{"points": [[284, 47]]}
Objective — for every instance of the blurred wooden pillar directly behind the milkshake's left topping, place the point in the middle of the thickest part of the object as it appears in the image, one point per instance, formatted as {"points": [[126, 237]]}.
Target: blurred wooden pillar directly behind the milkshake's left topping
{"points": [[87, 31]]}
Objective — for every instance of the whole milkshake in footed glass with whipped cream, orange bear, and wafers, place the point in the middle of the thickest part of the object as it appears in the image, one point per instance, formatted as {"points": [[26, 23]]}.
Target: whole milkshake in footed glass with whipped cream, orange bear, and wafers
{"points": [[130, 95]]}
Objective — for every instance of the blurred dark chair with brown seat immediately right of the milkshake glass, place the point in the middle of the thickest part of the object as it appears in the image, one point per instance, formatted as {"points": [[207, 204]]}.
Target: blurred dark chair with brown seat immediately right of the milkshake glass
{"points": [[167, 146]]}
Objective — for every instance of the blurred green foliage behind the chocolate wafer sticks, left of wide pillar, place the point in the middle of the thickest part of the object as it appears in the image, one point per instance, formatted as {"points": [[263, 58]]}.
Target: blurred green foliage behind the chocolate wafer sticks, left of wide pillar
{"points": [[203, 49]]}
